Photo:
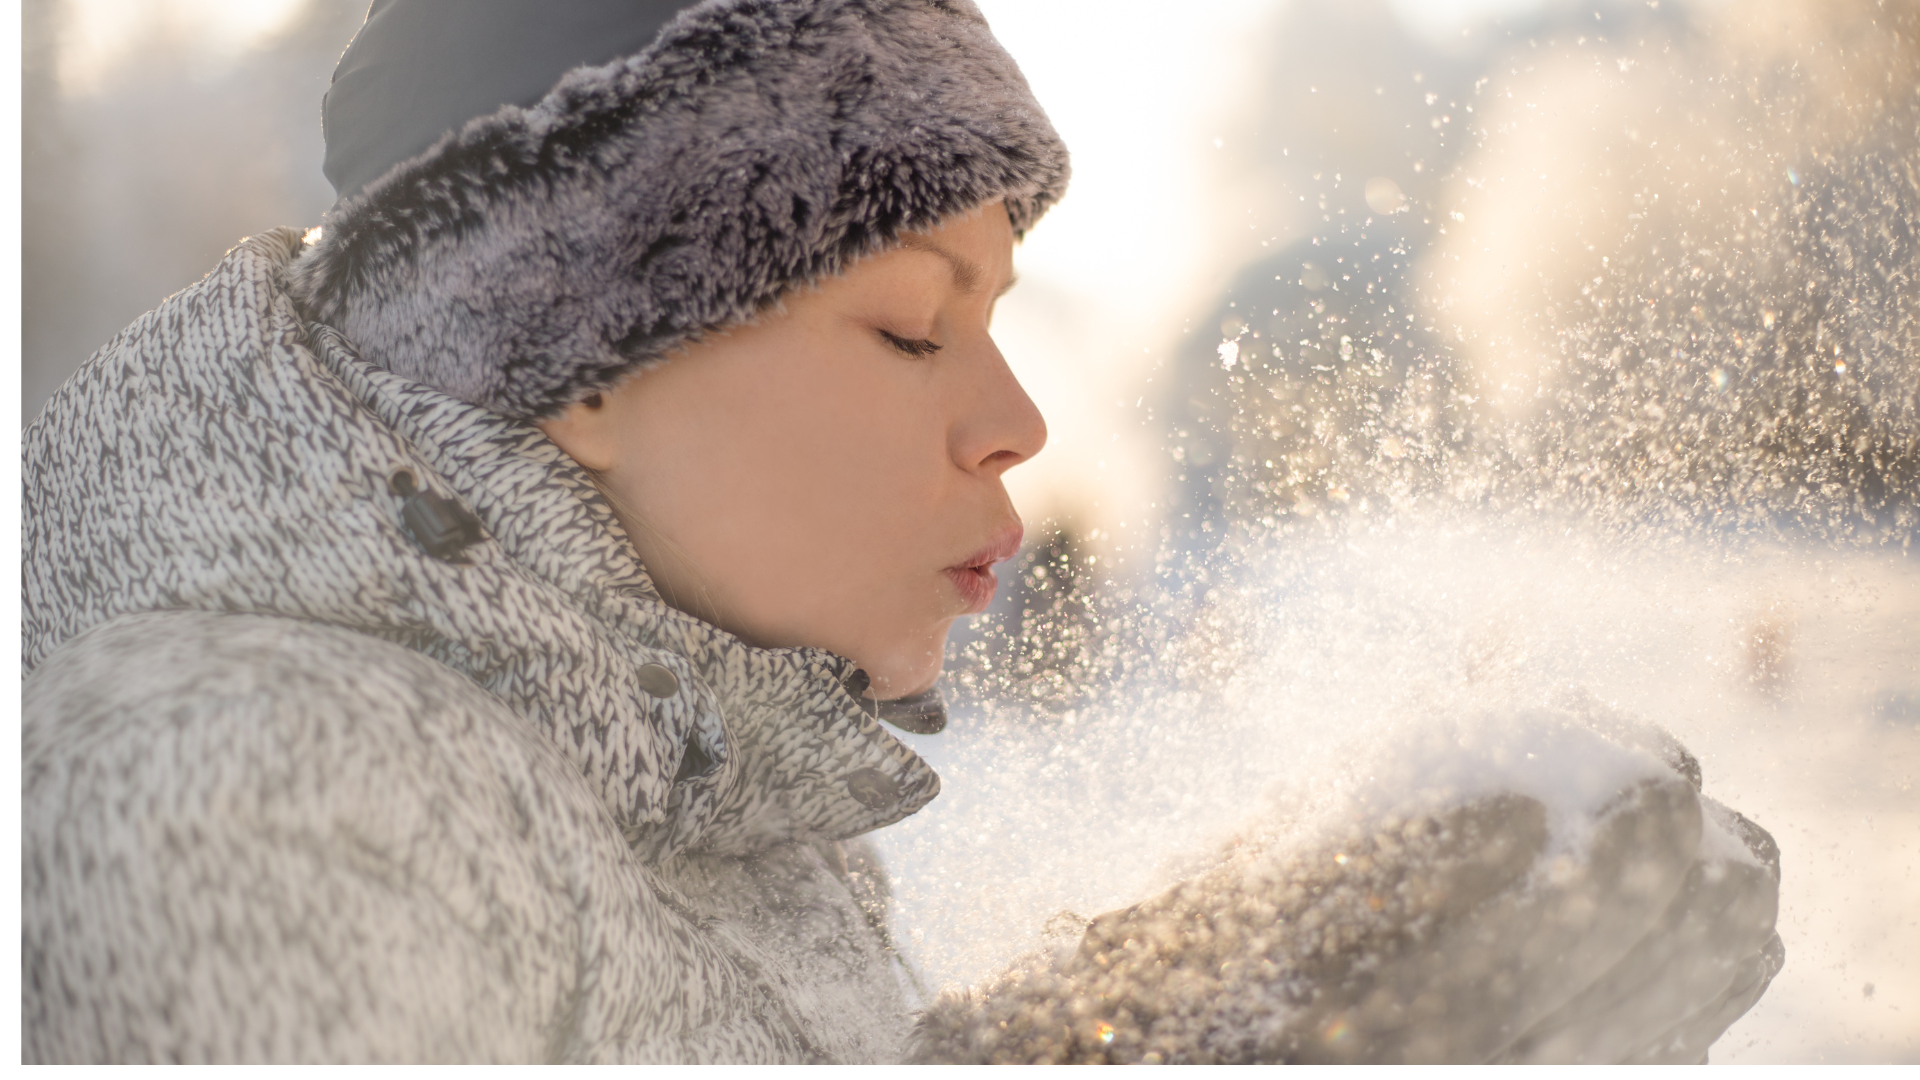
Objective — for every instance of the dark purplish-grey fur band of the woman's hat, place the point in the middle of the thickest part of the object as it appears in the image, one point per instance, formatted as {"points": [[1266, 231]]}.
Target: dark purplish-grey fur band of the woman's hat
{"points": [[539, 255]]}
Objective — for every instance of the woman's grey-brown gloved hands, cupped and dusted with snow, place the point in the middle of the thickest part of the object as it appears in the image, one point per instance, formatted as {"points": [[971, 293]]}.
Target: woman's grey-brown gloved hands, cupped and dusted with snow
{"points": [[1512, 925]]}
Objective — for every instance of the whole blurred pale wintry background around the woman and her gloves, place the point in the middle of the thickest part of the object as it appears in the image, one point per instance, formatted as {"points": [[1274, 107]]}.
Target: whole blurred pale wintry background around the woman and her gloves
{"points": [[1401, 356]]}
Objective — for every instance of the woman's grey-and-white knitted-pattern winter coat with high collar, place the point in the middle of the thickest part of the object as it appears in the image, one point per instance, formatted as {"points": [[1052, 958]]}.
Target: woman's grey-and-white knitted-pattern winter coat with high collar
{"points": [[299, 789]]}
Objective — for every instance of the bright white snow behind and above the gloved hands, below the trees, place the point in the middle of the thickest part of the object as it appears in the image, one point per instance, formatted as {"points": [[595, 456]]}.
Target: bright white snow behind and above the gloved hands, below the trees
{"points": [[1395, 664]]}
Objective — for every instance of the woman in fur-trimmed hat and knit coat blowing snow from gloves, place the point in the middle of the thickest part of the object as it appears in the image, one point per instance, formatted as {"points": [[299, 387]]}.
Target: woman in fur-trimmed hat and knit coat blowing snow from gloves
{"points": [[464, 633]]}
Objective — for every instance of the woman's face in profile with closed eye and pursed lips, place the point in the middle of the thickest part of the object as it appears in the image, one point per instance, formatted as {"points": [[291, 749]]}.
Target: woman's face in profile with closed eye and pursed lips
{"points": [[830, 476]]}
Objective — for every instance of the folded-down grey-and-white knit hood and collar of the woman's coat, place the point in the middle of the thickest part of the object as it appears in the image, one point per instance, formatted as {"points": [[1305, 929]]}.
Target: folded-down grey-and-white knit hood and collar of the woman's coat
{"points": [[226, 454]]}
